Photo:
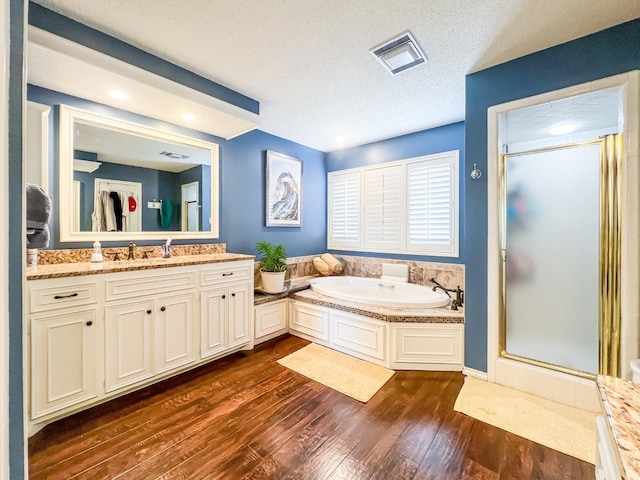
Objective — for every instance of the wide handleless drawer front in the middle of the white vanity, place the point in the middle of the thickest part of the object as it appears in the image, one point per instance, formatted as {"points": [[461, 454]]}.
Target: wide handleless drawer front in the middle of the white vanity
{"points": [[131, 286]]}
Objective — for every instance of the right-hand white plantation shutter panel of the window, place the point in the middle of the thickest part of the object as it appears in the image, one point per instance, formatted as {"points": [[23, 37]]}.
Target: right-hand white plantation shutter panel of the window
{"points": [[430, 205]]}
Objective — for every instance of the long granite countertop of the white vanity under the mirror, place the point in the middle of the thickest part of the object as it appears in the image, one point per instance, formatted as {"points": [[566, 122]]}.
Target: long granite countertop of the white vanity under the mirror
{"points": [[88, 268]]}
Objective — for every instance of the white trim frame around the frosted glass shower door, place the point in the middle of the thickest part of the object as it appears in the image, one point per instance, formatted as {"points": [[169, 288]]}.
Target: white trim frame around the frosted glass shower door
{"points": [[630, 215]]}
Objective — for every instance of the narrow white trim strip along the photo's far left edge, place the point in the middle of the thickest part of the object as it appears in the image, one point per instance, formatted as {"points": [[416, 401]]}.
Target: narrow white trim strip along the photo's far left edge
{"points": [[4, 241]]}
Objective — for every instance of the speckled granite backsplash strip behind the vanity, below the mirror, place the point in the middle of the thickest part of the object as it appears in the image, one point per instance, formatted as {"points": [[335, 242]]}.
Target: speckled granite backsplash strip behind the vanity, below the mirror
{"points": [[79, 255]]}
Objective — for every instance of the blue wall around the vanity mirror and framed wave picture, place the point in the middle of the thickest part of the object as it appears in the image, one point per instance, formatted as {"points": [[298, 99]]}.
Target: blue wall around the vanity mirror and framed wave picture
{"points": [[242, 183]]}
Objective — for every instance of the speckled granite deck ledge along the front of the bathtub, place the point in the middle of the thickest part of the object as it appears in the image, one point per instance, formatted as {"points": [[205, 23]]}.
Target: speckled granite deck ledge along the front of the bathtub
{"points": [[299, 290]]}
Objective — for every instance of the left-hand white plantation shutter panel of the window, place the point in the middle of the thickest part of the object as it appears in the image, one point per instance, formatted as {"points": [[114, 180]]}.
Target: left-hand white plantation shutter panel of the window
{"points": [[344, 209]]}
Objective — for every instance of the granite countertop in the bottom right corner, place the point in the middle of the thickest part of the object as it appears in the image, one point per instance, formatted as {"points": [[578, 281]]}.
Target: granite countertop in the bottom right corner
{"points": [[621, 402]]}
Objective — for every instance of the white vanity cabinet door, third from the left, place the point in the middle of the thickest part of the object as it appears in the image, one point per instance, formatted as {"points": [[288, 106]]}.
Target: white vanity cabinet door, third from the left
{"points": [[174, 319]]}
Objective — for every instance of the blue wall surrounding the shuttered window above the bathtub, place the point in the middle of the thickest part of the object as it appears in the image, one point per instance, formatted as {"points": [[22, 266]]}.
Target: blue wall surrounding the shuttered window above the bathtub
{"points": [[426, 142]]}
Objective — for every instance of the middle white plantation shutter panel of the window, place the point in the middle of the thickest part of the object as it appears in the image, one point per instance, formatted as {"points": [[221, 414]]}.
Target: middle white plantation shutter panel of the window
{"points": [[383, 207]]}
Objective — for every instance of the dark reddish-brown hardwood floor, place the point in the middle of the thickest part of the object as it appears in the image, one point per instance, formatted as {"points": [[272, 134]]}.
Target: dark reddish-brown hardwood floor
{"points": [[246, 417]]}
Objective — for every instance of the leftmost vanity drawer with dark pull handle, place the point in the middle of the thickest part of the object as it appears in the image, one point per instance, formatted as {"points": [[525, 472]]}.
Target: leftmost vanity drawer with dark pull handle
{"points": [[59, 293]]}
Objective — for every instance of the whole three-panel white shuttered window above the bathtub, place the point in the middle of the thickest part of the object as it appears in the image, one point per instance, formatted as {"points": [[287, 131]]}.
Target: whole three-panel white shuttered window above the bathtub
{"points": [[409, 207]]}
